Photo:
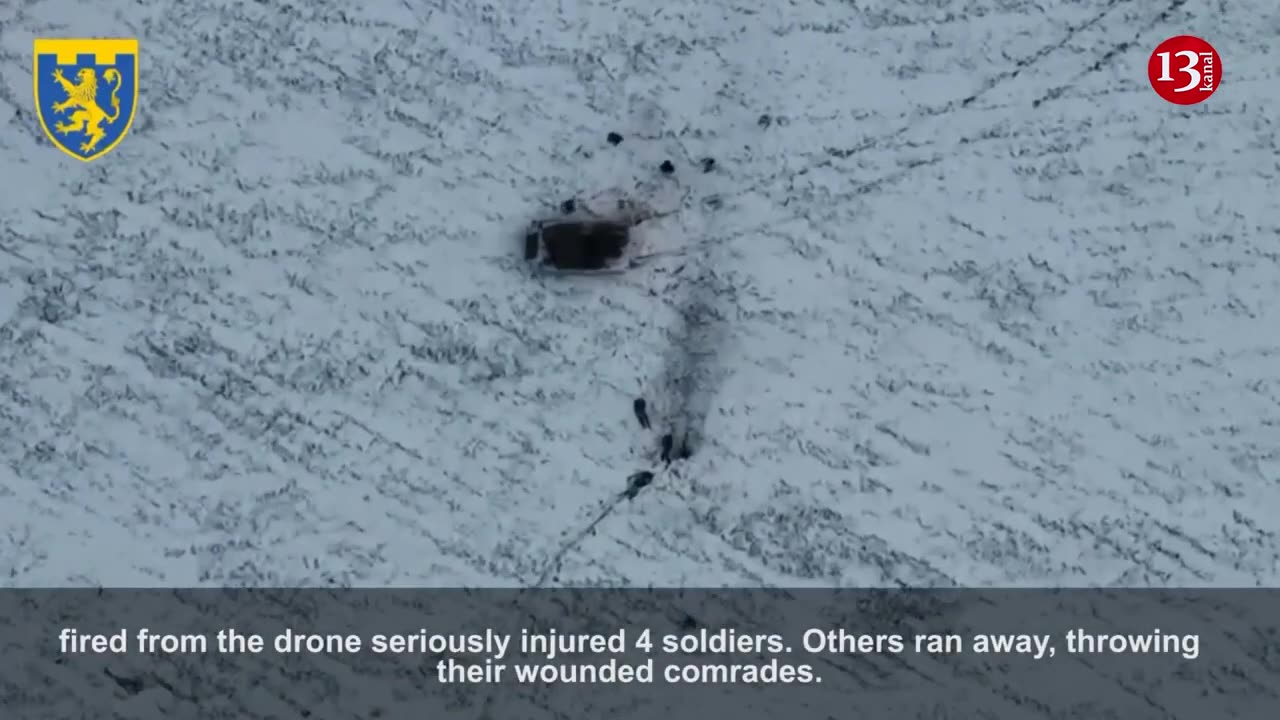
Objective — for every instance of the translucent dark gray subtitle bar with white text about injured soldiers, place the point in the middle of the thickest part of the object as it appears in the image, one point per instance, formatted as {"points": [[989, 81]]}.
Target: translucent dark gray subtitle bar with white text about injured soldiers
{"points": [[671, 655]]}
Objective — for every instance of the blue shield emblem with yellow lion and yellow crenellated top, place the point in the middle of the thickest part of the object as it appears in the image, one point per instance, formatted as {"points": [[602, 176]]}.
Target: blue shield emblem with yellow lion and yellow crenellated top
{"points": [[86, 93]]}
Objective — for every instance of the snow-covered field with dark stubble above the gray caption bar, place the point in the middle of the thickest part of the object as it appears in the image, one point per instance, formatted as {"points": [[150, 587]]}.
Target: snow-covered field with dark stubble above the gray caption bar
{"points": [[963, 302]]}
